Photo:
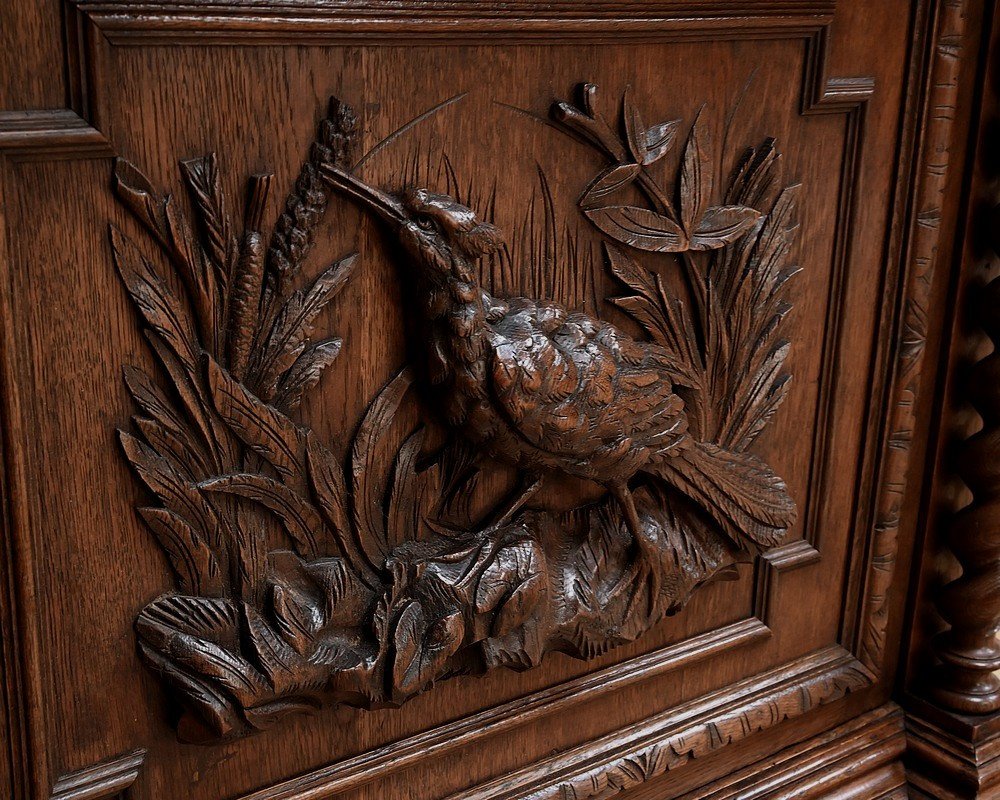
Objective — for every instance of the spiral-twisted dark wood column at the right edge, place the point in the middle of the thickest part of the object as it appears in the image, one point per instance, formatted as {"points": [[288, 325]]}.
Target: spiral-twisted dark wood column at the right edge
{"points": [[969, 651]]}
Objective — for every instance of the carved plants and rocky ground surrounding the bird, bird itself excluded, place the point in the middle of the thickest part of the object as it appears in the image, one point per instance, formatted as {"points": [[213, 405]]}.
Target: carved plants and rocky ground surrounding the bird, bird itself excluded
{"points": [[369, 601]]}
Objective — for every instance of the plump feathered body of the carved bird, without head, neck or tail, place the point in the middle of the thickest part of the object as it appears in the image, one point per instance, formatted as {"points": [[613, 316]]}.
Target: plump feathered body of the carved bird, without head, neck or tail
{"points": [[542, 388]]}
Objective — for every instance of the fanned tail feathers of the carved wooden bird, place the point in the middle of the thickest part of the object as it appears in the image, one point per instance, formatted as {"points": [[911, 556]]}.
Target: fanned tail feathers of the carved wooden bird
{"points": [[737, 490]]}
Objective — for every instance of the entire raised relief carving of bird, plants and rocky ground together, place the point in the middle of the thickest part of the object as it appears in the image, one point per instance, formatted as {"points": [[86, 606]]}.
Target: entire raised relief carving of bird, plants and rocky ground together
{"points": [[387, 582]]}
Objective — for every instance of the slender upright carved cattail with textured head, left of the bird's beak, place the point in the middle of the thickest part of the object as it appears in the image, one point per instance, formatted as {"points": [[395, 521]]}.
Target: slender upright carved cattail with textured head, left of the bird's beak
{"points": [[248, 280]]}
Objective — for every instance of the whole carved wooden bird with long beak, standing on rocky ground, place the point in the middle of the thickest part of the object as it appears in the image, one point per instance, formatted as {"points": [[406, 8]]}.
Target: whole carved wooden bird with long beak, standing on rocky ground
{"points": [[547, 390]]}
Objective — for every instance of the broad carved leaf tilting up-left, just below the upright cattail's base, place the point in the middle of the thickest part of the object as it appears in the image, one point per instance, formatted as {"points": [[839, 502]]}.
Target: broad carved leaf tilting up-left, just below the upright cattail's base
{"points": [[262, 428]]}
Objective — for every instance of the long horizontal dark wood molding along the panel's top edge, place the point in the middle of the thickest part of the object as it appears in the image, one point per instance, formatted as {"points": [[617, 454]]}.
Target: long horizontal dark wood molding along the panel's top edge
{"points": [[128, 22]]}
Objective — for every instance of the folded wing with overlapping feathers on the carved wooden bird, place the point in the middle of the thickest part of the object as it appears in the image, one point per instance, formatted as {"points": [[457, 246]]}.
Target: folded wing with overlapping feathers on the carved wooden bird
{"points": [[575, 386]]}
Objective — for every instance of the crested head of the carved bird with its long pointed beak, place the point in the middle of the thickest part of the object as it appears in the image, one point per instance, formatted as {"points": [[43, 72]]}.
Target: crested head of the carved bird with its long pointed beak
{"points": [[443, 236]]}
